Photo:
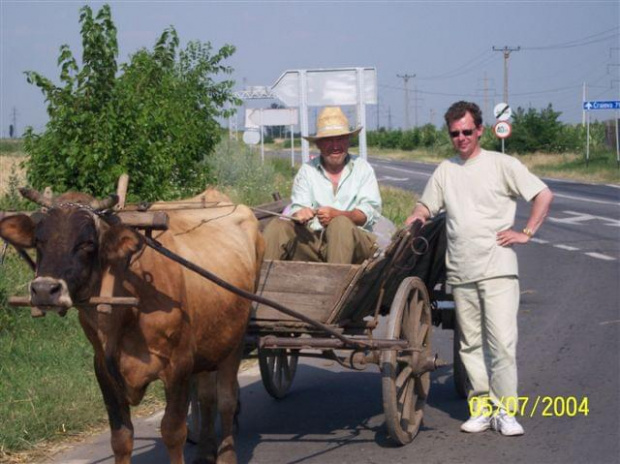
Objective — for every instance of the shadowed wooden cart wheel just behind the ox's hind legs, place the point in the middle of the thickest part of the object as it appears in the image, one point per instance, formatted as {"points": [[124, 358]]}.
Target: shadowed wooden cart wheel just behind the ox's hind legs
{"points": [[277, 370]]}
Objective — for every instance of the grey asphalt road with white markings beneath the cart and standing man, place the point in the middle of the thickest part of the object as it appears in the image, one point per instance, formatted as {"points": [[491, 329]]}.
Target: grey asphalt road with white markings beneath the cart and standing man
{"points": [[569, 347]]}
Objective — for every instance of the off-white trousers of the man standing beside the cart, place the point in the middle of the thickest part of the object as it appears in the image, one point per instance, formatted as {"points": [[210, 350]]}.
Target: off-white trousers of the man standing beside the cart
{"points": [[486, 312]]}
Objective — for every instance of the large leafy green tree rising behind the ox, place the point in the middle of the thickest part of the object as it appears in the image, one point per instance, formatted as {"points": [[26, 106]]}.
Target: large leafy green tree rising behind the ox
{"points": [[155, 118]]}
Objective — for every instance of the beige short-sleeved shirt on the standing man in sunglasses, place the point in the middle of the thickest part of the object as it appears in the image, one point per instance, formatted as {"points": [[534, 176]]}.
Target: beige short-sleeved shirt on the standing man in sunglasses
{"points": [[479, 196]]}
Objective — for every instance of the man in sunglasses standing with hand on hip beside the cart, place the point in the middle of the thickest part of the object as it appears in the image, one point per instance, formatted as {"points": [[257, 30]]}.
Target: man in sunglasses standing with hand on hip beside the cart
{"points": [[478, 190]]}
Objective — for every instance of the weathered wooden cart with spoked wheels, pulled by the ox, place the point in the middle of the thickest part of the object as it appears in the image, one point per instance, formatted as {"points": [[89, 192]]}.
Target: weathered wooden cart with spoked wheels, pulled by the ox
{"points": [[342, 307]]}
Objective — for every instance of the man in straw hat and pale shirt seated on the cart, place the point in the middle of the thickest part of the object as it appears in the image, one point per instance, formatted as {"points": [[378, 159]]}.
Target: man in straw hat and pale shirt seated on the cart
{"points": [[335, 202]]}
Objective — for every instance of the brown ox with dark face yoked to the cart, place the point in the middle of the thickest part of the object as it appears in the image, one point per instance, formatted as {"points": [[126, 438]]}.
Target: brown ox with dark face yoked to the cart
{"points": [[183, 325]]}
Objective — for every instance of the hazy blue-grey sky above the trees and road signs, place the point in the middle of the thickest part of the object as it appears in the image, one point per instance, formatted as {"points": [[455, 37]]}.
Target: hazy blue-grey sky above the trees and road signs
{"points": [[447, 45]]}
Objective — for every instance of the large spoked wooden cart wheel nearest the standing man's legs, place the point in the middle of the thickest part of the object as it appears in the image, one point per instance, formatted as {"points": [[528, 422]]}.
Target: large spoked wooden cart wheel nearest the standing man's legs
{"points": [[404, 393]]}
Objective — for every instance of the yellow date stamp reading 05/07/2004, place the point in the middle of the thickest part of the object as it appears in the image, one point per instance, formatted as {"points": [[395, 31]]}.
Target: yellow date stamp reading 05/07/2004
{"points": [[546, 406]]}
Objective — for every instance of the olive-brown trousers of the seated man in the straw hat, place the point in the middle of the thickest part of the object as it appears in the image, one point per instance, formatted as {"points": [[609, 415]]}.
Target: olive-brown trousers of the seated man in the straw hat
{"points": [[341, 242]]}
